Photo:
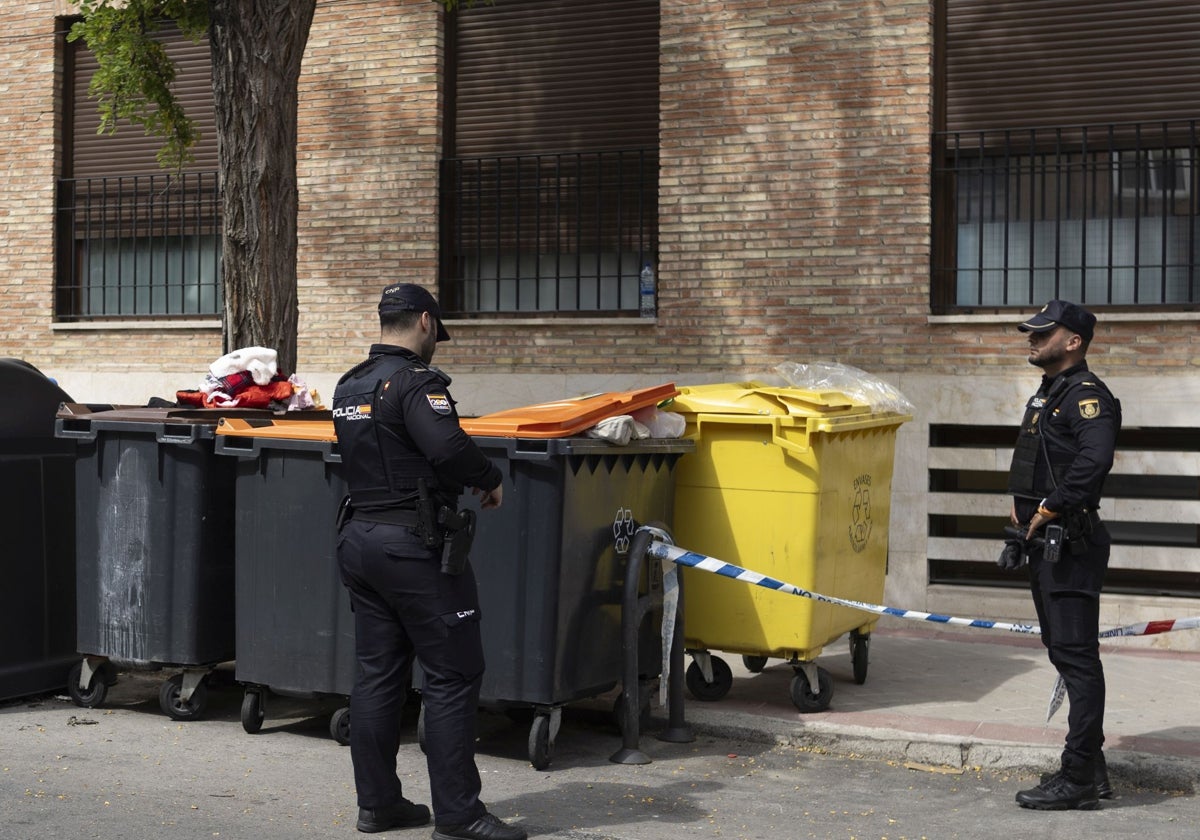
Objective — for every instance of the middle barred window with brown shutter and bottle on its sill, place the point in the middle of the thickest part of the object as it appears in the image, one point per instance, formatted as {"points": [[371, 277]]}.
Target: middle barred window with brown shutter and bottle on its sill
{"points": [[550, 183]]}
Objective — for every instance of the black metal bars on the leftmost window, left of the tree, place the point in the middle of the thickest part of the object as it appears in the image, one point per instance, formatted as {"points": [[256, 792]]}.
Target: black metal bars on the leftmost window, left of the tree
{"points": [[139, 247]]}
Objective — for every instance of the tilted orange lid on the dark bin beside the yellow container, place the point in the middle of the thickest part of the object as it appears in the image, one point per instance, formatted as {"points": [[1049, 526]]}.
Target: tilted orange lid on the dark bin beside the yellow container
{"points": [[565, 418]]}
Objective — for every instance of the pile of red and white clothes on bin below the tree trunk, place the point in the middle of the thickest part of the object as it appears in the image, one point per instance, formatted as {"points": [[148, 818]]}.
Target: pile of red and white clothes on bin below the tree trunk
{"points": [[250, 379]]}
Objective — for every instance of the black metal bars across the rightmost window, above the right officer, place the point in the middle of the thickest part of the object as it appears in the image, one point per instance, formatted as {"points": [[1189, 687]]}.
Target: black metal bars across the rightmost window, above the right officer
{"points": [[1105, 215]]}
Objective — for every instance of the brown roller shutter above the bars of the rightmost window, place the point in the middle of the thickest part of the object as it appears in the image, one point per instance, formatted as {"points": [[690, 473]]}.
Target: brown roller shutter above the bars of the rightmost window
{"points": [[1042, 63]]}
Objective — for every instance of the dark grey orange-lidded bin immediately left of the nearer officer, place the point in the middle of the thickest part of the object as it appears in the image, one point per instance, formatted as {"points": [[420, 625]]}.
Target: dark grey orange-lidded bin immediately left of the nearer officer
{"points": [[296, 631]]}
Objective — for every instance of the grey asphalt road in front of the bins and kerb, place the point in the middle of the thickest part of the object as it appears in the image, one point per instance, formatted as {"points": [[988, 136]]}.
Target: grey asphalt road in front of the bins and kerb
{"points": [[129, 772]]}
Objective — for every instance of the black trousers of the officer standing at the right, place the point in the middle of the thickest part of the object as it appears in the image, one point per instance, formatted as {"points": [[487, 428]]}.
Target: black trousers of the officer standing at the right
{"points": [[1067, 598]]}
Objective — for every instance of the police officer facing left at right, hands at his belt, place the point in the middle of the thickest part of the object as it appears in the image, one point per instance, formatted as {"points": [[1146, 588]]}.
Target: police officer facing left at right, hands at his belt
{"points": [[1063, 457]]}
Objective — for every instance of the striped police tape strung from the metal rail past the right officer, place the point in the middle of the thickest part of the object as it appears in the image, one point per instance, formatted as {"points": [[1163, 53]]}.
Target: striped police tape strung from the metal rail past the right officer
{"points": [[669, 555]]}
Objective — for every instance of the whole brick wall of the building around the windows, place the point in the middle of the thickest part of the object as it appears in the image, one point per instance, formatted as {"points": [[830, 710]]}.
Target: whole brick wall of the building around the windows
{"points": [[794, 211]]}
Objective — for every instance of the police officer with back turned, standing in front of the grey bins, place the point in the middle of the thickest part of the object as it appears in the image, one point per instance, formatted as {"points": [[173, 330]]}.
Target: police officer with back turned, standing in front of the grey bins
{"points": [[401, 551]]}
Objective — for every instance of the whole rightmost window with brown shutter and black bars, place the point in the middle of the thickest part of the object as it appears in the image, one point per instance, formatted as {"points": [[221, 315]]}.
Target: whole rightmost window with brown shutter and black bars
{"points": [[1065, 154]]}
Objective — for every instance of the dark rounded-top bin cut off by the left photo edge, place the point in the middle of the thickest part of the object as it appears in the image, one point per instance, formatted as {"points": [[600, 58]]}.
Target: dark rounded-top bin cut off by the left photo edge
{"points": [[38, 641]]}
